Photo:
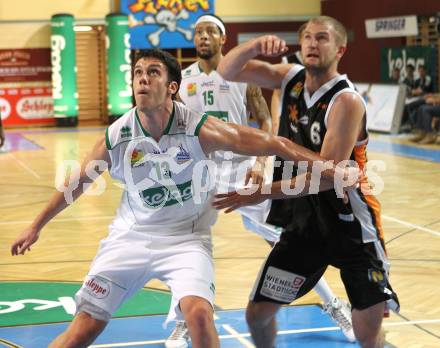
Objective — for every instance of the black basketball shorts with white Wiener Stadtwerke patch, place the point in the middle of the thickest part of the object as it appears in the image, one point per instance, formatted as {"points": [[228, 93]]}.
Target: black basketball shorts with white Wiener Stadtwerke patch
{"points": [[300, 258]]}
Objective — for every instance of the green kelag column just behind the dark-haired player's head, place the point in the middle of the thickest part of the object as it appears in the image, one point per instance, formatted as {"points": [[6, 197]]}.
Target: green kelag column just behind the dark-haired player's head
{"points": [[119, 93]]}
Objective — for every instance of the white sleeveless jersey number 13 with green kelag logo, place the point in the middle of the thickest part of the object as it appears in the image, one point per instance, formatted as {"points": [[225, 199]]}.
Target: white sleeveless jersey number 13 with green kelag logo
{"points": [[165, 183]]}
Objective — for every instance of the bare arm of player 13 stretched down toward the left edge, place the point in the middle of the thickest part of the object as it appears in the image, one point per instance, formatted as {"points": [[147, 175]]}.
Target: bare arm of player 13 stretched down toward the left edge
{"points": [[58, 202]]}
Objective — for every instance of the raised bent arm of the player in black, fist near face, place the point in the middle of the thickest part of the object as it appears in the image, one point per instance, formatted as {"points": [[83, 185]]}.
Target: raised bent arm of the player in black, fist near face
{"points": [[239, 65]]}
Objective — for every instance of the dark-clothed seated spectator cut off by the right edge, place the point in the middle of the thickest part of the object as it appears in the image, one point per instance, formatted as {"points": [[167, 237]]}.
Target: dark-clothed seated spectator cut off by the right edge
{"points": [[425, 115]]}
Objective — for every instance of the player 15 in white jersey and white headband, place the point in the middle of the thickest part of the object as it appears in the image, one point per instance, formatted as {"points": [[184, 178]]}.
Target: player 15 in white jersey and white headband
{"points": [[203, 89]]}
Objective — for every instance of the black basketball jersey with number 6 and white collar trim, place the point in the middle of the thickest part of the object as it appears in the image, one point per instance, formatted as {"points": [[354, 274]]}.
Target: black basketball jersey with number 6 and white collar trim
{"points": [[303, 120]]}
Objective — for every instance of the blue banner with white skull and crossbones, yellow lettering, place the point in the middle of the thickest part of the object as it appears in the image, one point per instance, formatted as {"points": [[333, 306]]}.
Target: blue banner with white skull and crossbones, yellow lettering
{"points": [[164, 23]]}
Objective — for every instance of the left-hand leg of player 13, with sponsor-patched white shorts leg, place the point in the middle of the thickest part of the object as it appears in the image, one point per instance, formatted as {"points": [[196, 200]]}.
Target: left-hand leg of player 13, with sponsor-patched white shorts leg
{"points": [[114, 276]]}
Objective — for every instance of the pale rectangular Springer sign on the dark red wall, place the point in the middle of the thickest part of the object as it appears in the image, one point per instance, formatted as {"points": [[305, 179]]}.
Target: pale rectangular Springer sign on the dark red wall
{"points": [[391, 27]]}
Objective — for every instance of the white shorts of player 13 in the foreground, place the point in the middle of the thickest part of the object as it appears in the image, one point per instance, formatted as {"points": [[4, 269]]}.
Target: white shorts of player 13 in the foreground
{"points": [[123, 266]]}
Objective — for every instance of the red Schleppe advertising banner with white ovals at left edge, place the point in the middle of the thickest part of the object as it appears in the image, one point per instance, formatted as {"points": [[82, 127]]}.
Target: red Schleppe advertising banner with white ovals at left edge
{"points": [[24, 106]]}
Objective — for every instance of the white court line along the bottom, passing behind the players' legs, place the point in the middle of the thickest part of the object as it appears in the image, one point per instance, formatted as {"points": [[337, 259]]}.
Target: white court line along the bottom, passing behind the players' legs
{"points": [[281, 332]]}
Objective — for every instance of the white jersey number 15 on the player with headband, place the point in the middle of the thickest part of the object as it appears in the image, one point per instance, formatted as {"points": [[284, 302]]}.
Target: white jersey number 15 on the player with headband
{"points": [[213, 95]]}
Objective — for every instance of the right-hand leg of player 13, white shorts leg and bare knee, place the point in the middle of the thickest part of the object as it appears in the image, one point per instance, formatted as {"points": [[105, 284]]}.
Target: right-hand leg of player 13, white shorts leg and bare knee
{"points": [[185, 264]]}
